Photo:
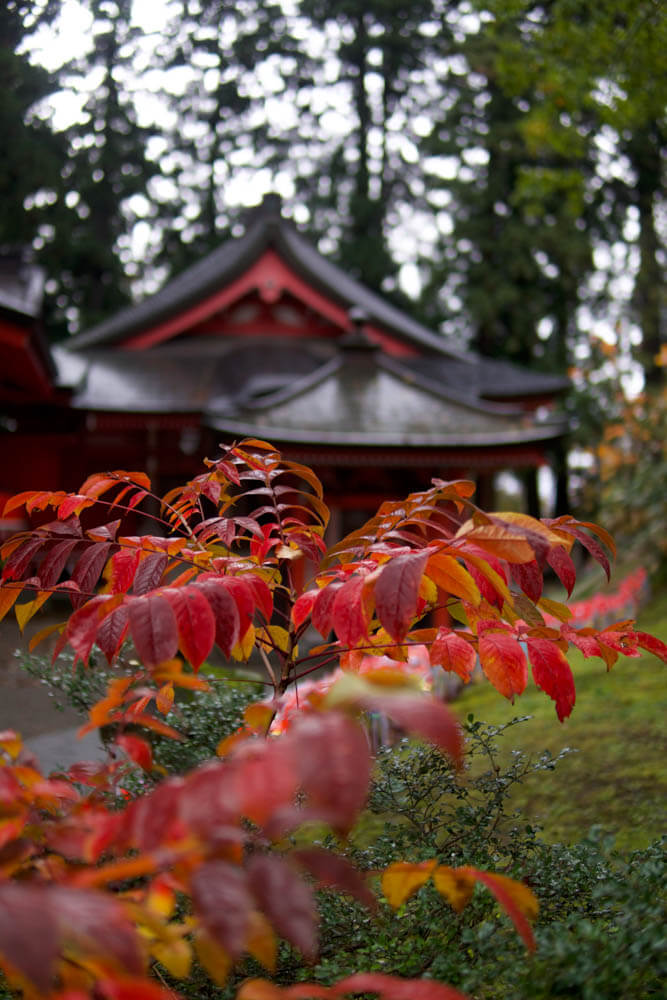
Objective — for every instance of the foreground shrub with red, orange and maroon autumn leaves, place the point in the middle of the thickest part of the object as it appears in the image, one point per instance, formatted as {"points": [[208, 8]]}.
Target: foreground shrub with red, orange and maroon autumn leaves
{"points": [[104, 879]]}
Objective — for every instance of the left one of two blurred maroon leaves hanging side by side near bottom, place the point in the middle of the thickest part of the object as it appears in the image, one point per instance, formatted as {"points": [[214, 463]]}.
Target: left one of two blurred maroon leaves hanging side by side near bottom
{"points": [[223, 903]]}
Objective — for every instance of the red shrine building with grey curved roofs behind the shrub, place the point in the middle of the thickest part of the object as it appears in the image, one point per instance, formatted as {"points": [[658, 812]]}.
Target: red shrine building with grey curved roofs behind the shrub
{"points": [[265, 337]]}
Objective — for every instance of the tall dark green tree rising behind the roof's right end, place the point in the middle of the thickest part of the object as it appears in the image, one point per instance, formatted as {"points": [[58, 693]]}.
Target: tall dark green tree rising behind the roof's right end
{"points": [[514, 249]]}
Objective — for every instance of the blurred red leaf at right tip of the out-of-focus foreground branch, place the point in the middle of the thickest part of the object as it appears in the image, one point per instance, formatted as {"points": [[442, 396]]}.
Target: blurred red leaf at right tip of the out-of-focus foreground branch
{"points": [[424, 717]]}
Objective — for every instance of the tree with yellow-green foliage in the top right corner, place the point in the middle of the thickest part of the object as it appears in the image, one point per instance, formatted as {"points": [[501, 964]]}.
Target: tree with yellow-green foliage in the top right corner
{"points": [[600, 67]]}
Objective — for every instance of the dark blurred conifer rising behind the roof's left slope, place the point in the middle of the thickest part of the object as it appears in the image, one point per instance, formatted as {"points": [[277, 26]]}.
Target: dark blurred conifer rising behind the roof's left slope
{"points": [[106, 166]]}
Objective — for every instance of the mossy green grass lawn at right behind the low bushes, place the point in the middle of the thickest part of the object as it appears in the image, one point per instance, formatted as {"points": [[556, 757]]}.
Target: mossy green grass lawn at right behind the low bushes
{"points": [[618, 777]]}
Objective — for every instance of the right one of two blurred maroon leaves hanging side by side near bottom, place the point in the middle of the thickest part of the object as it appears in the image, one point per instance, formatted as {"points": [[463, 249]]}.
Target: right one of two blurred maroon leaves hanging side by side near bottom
{"points": [[286, 900]]}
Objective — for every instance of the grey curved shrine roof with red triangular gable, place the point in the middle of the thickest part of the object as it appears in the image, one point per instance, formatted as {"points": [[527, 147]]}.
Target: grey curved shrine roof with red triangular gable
{"points": [[265, 337]]}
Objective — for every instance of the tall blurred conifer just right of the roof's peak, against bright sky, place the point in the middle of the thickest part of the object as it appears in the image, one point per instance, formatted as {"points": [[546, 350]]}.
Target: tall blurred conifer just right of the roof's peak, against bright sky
{"points": [[380, 71]]}
